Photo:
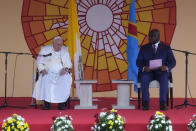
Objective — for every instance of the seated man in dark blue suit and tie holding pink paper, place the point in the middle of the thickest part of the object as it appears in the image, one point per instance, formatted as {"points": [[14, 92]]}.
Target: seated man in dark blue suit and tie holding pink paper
{"points": [[155, 50]]}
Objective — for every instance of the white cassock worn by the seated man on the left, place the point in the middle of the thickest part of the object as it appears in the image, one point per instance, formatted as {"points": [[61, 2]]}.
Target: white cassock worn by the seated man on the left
{"points": [[52, 87]]}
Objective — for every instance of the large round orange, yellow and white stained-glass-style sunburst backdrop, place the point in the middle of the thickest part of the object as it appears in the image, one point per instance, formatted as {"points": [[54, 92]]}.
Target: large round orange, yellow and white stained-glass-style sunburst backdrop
{"points": [[103, 26]]}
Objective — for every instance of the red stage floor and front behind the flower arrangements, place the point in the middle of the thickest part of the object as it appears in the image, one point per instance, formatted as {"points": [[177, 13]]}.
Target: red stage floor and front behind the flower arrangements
{"points": [[136, 120]]}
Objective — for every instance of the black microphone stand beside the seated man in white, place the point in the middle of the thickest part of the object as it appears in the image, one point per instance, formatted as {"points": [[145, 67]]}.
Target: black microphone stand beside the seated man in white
{"points": [[5, 104]]}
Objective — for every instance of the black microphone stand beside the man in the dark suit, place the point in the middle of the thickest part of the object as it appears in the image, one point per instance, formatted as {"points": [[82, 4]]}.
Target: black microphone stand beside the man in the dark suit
{"points": [[186, 103]]}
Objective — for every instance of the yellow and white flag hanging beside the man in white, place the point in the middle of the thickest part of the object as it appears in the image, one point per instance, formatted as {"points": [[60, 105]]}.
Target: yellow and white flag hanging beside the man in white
{"points": [[73, 42]]}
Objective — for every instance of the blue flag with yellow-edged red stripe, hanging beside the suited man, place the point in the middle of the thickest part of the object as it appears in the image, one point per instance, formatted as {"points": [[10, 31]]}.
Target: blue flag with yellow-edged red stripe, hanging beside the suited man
{"points": [[132, 46]]}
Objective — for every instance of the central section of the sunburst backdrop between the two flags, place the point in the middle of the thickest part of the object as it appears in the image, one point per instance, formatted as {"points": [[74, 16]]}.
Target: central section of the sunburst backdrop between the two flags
{"points": [[103, 27]]}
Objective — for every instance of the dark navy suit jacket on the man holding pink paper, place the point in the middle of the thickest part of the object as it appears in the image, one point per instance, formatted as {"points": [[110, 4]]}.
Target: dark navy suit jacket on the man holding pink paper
{"points": [[163, 52]]}
